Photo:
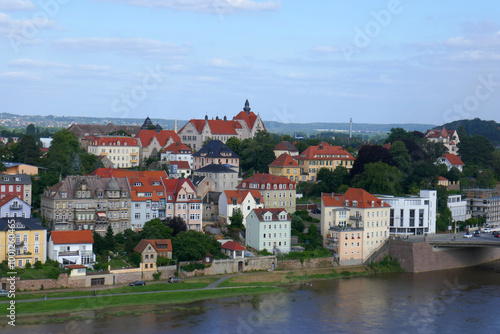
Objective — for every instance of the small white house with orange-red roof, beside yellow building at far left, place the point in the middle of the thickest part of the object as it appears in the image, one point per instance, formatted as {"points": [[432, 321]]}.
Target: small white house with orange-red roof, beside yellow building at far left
{"points": [[72, 247]]}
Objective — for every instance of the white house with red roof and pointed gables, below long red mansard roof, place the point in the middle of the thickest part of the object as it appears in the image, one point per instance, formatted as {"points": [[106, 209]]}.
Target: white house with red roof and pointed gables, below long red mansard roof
{"points": [[245, 200]]}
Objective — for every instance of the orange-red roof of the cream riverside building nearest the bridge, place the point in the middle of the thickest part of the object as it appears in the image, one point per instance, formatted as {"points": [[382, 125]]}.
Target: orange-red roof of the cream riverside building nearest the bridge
{"points": [[356, 197]]}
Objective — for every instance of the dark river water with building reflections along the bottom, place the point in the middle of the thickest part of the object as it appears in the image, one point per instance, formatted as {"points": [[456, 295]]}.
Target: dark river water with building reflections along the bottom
{"points": [[452, 301]]}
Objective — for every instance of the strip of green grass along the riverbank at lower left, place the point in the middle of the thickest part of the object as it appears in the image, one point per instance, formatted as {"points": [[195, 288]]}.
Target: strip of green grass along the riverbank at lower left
{"points": [[92, 303]]}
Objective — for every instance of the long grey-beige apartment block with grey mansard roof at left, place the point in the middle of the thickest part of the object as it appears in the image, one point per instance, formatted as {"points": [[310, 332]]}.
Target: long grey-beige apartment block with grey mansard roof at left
{"points": [[88, 202]]}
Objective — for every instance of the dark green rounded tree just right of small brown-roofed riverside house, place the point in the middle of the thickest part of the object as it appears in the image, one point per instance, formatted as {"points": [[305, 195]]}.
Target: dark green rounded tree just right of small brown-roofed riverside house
{"points": [[193, 246]]}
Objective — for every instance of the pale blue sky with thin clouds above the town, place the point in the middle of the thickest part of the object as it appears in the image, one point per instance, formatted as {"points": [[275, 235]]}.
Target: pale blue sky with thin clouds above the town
{"points": [[295, 61]]}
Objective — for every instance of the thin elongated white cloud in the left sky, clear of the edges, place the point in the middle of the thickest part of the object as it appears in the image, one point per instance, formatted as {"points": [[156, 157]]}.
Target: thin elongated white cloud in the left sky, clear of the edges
{"points": [[126, 46]]}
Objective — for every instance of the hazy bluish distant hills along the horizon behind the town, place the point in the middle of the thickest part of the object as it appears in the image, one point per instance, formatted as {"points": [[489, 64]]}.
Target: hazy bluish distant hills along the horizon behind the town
{"points": [[21, 121]]}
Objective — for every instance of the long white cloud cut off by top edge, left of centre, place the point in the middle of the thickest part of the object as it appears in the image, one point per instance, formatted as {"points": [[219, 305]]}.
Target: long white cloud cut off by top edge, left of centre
{"points": [[219, 7]]}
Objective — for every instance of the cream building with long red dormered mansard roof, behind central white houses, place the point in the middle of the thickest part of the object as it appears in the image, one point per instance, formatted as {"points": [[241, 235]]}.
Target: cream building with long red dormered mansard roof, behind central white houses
{"points": [[277, 191]]}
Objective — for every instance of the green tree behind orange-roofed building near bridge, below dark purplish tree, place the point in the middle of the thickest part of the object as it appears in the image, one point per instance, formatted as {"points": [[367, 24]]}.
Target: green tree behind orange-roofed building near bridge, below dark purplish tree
{"points": [[379, 178]]}
